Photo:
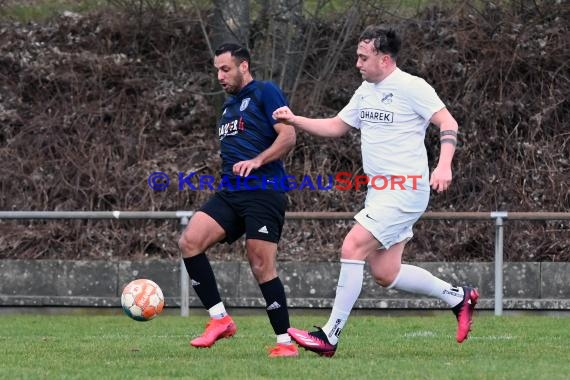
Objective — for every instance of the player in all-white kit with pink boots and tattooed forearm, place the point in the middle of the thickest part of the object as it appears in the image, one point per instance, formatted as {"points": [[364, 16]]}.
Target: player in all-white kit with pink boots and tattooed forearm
{"points": [[392, 109]]}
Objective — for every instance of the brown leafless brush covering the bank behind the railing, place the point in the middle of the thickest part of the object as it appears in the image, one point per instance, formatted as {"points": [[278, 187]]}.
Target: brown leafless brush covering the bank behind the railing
{"points": [[96, 95]]}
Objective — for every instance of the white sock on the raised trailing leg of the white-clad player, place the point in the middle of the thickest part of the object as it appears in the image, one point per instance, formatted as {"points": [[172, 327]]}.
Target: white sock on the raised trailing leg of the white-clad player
{"points": [[417, 280]]}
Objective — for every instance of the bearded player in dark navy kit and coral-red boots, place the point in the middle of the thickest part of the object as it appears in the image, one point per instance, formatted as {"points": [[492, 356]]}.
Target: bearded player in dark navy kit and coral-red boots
{"points": [[251, 201]]}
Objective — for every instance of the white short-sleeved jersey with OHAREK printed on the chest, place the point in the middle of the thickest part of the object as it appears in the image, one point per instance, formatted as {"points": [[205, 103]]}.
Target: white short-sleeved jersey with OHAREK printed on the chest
{"points": [[393, 116]]}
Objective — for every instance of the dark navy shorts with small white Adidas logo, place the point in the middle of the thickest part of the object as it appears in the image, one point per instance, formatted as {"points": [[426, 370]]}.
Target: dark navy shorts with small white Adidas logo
{"points": [[260, 214]]}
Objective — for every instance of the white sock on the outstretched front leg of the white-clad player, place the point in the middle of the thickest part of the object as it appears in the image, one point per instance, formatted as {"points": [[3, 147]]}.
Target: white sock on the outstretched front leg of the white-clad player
{"points": [[347, 292]]}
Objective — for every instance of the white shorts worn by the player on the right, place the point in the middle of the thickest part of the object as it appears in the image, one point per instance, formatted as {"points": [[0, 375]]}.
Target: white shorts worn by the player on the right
{"points": [[391, 215]]}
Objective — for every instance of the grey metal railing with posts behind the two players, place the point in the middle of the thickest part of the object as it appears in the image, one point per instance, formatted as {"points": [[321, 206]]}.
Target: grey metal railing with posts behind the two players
{"points": [[183, 216]]}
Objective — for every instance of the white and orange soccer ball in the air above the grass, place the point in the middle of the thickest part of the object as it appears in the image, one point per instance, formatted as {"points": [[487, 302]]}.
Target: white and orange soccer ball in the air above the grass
{"points": [[142, 300]]}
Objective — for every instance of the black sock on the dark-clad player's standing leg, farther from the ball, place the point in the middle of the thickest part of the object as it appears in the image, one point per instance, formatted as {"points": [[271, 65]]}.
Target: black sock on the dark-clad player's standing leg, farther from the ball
{"points": [[274, 294]]}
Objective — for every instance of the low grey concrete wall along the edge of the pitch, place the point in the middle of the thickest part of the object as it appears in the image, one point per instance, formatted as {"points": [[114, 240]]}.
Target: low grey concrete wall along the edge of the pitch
{"points": [[308, 285]]}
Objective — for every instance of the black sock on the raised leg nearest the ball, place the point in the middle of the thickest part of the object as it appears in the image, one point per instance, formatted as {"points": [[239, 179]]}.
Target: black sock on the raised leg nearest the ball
{"points": [[203, 279]]}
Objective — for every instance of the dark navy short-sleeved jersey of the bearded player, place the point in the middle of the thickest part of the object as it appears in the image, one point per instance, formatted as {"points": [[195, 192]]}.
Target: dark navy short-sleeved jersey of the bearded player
{"points": [[245, 130]]}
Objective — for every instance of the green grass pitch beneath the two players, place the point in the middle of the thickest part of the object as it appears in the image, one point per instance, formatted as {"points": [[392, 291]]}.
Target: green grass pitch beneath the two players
{"points": [[372, 347]]}
